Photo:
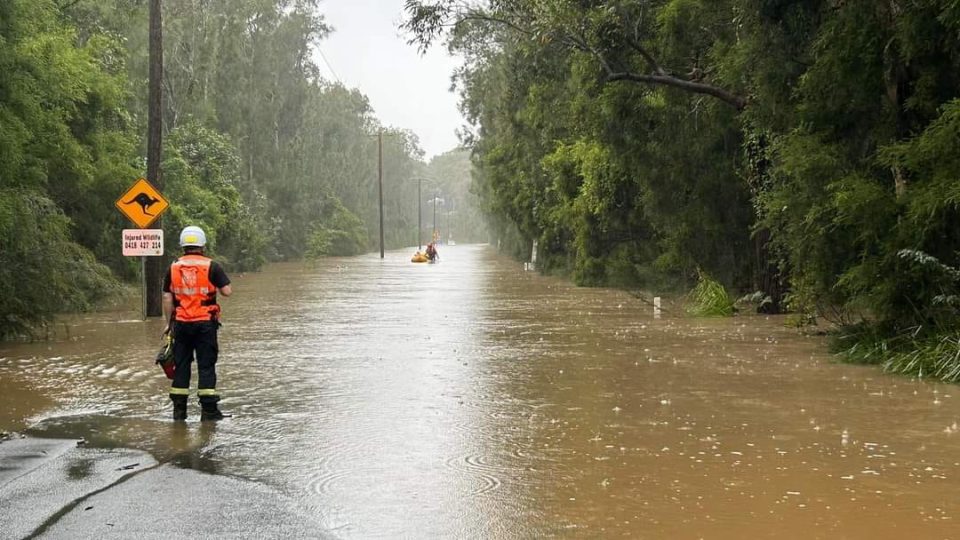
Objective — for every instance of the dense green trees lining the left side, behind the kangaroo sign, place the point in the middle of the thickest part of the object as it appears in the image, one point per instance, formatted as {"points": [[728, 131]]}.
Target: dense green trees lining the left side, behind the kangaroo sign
{"points": [[274, 161]]}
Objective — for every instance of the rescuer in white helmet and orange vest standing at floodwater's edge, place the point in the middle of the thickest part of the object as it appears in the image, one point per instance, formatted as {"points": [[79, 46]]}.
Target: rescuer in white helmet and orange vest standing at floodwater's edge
{"points": [[190, 289]]}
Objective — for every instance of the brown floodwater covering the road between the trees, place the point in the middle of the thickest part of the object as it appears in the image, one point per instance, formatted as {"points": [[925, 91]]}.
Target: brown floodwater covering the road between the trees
{"points": [[472, 400]]}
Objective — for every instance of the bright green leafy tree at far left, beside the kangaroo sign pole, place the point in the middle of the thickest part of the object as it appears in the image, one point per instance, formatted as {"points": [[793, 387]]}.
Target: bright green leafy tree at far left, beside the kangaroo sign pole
{"points": [[58, 117]]}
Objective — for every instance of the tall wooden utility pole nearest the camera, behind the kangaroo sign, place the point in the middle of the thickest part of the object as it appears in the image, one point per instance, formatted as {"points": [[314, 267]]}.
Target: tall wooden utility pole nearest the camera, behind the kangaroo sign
{"points": [[154, 265]]}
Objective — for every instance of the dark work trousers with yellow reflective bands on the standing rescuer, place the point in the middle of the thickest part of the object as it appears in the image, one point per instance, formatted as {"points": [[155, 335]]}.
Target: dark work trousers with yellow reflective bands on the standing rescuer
{"points": [[199, 338]]}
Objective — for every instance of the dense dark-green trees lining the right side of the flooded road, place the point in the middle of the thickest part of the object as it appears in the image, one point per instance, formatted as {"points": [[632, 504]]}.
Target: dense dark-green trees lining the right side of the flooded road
{"points": [[807, 149]]}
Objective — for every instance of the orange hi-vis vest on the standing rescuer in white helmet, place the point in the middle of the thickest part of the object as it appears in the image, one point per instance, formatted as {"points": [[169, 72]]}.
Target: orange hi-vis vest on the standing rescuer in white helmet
{"points": [[190, 284]]}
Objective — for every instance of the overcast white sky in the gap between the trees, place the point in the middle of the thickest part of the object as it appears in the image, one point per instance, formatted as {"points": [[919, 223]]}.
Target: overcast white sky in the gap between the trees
{"points": [[367, 51]]}
